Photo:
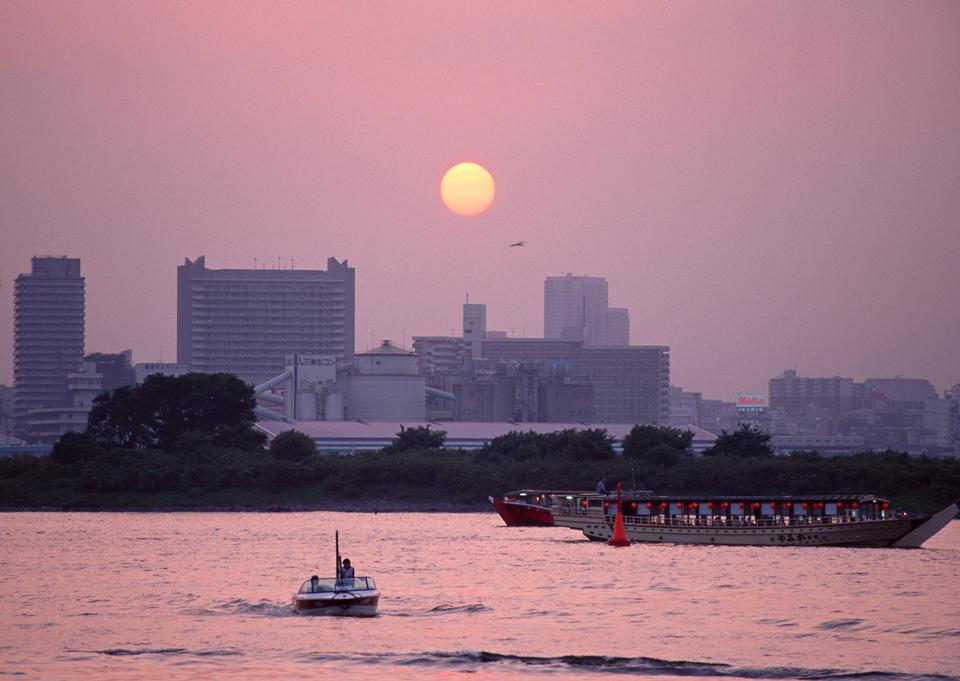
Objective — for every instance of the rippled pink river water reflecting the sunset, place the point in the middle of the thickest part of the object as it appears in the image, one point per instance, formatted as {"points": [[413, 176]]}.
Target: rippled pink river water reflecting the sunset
{"points": [[207, 595]]}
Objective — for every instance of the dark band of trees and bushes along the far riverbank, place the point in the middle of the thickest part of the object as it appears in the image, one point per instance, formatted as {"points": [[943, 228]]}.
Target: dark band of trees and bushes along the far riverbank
{"points": [[191, 441]]}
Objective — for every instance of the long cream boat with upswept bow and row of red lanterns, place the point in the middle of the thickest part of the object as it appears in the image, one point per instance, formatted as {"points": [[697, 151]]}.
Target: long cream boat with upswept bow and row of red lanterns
{"points": [[839, 520]]}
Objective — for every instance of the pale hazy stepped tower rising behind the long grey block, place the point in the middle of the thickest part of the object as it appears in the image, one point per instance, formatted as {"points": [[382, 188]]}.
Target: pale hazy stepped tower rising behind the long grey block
{"points": [[577, 308]]}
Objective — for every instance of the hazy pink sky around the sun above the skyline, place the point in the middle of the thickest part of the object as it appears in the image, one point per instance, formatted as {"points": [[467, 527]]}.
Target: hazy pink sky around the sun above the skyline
{"points": [[764, 184]]}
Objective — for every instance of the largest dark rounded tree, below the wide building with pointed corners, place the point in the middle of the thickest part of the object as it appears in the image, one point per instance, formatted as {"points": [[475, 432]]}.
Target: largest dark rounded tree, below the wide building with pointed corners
{"points": [[177, 412]]}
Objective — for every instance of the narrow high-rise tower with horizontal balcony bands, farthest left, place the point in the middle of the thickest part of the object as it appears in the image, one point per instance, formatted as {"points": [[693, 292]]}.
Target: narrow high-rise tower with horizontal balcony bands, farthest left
{"points": [[48, 330]]}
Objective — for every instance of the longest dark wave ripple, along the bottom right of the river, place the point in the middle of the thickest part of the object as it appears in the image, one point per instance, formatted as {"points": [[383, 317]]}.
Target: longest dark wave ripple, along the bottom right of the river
{"points": [[640, 666]]}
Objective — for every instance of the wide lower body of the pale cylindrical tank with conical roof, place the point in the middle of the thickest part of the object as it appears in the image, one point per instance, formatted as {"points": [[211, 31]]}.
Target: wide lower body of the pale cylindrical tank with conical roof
{"points": [[387, 398]]}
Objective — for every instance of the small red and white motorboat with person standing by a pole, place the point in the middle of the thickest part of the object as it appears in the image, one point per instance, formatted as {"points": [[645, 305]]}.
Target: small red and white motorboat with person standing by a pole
{"points": [[343, 595]]}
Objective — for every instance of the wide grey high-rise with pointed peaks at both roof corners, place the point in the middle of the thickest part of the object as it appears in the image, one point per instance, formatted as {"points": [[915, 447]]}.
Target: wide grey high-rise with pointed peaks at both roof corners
{"points": [[246, 321]]}
